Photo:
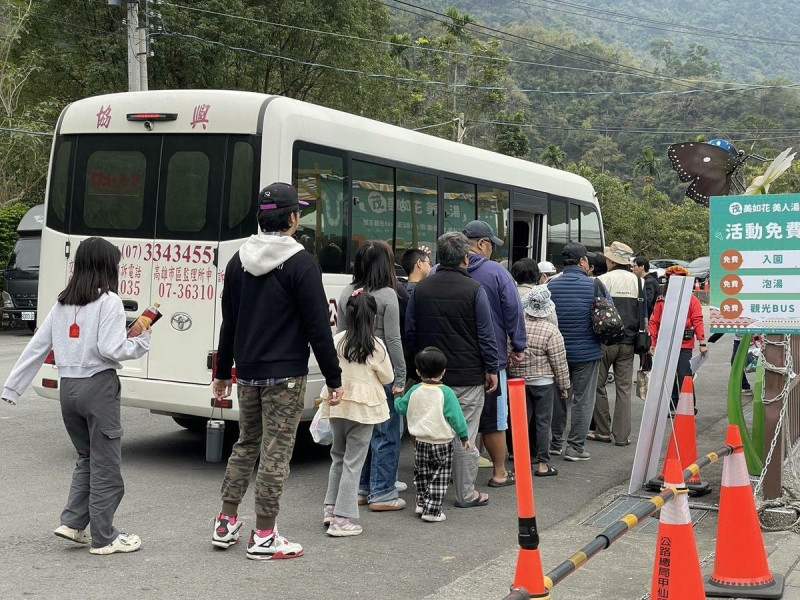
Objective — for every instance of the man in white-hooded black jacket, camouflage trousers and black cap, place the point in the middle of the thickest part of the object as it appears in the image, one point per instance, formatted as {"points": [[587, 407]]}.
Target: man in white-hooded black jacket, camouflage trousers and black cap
{"points": [[273, 308]]}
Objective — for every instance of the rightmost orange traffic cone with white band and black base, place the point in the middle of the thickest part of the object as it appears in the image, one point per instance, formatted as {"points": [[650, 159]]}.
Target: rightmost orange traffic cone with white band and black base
{"points": [[741, 569]]}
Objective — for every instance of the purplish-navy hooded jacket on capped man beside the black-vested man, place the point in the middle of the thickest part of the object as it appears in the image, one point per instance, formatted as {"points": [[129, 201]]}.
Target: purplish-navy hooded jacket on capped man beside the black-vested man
{"points": [[507, 315]]}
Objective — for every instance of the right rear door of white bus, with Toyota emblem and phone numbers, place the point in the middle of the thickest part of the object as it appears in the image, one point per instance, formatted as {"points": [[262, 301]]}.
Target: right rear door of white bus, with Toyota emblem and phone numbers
{"points": [[184, 277]]}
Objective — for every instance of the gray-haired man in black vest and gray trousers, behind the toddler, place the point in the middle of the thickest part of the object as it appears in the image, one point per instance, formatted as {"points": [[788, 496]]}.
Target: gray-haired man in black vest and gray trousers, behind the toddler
{"points": [[450, 310]]}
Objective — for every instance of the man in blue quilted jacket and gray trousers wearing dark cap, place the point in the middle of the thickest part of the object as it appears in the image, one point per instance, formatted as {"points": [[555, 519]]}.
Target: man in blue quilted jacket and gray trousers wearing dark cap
{"points": [[573, 294]]}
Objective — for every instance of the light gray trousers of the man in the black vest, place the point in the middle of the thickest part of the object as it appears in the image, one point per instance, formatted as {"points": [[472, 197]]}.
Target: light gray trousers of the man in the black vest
{"points": [[465, 462]]}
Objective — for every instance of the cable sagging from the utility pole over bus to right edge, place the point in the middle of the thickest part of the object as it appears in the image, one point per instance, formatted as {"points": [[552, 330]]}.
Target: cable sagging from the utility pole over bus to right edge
{"points": [[430, 82]]}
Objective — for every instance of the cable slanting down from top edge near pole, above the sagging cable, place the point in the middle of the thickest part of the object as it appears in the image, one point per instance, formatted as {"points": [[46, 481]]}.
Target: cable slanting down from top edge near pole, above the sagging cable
{"points": [[419, 48]]}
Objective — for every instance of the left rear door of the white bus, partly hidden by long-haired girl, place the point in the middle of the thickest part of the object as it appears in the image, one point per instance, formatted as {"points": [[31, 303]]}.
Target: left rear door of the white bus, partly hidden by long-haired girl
{"points": [[113, 196]]}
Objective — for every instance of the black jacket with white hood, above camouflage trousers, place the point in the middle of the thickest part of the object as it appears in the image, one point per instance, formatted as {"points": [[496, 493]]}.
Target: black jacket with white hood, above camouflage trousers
{"points": [[269, 319]]}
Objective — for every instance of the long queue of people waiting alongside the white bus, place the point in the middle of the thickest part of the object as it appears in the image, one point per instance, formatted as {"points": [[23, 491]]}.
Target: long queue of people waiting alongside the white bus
{"points": [[435, 348]]}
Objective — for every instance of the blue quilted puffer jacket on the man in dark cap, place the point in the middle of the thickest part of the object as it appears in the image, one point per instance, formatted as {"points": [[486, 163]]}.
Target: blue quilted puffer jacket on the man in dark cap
{"points": [[573, 294]]}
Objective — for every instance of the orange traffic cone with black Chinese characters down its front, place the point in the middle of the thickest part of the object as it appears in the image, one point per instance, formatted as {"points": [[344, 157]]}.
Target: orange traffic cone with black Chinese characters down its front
{"points": [[676, 572]]}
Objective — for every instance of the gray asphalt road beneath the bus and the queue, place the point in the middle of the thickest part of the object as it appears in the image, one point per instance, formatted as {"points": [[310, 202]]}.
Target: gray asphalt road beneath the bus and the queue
{"points": [[172, 496]]}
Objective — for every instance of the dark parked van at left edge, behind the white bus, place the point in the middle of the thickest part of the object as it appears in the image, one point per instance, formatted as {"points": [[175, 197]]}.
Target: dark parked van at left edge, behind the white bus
{"points": [[21, 274]]}
